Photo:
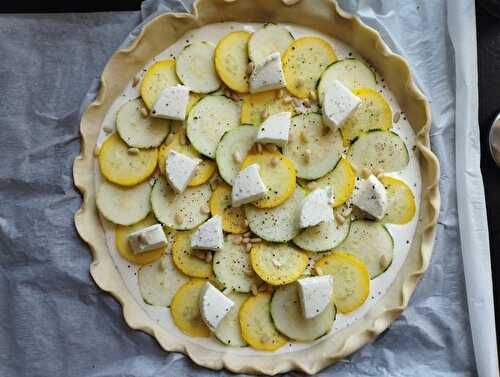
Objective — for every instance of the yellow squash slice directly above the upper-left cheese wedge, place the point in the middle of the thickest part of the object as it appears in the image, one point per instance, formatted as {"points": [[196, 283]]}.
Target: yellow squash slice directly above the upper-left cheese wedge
{"points": [[159, 76]]}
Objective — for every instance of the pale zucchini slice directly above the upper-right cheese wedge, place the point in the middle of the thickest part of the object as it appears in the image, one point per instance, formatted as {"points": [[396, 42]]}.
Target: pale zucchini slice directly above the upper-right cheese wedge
{"points": [[352, 73]]}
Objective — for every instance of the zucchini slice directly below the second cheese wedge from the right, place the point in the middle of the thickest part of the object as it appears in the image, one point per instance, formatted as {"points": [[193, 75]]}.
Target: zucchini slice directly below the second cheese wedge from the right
{"points": [[322, 237]]}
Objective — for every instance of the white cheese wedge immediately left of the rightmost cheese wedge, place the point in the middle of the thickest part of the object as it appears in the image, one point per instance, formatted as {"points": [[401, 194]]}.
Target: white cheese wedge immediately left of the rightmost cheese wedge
{"points": [[317, 208]]}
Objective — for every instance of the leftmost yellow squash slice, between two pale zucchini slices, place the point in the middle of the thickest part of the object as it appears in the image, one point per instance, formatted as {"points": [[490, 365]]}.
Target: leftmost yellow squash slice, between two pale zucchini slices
{"points": [[120, 166]]}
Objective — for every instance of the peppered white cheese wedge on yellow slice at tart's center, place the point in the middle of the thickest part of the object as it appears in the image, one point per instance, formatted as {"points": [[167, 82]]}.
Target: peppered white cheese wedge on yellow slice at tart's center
{"points": [[247, 186]]}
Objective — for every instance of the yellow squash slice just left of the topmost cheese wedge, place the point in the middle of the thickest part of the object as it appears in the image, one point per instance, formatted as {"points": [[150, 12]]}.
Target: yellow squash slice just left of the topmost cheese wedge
{"points": [[231, 60]]}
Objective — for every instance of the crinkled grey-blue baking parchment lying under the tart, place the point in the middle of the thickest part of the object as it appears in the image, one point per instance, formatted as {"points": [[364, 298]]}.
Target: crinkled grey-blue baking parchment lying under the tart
{"points": [[54, 321]]}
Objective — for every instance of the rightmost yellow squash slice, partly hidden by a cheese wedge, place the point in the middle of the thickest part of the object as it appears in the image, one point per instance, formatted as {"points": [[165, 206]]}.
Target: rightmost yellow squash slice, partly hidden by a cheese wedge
{"points": [[401, 202]]}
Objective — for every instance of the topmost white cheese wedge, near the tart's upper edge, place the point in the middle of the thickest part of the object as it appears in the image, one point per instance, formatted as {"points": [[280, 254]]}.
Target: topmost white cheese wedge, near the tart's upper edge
{"points": [[267, 75]]}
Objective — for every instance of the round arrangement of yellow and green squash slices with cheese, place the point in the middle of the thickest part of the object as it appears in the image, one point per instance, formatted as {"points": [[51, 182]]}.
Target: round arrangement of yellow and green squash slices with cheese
{"points": [[249, 182]]}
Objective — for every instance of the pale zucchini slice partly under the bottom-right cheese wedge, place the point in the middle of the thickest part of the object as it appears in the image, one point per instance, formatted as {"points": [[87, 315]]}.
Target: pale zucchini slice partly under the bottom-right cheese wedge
{"points": [[288, 319]]}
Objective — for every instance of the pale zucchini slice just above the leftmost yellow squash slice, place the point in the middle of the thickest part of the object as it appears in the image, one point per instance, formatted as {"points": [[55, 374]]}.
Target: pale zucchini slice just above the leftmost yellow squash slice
{"points": [[138, 131]]}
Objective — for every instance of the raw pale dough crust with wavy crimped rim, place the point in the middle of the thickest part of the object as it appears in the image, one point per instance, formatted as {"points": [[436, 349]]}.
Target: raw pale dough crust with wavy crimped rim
{"points": [[324, 16]]}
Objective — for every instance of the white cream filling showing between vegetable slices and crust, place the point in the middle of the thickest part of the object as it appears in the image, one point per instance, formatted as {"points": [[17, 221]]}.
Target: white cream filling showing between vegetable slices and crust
{"points": [[402, 234]]}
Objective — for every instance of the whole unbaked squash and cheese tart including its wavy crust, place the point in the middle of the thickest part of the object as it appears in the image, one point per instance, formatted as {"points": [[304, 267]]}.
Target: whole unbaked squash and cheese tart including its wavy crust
{"points": [[259, 191]]}
